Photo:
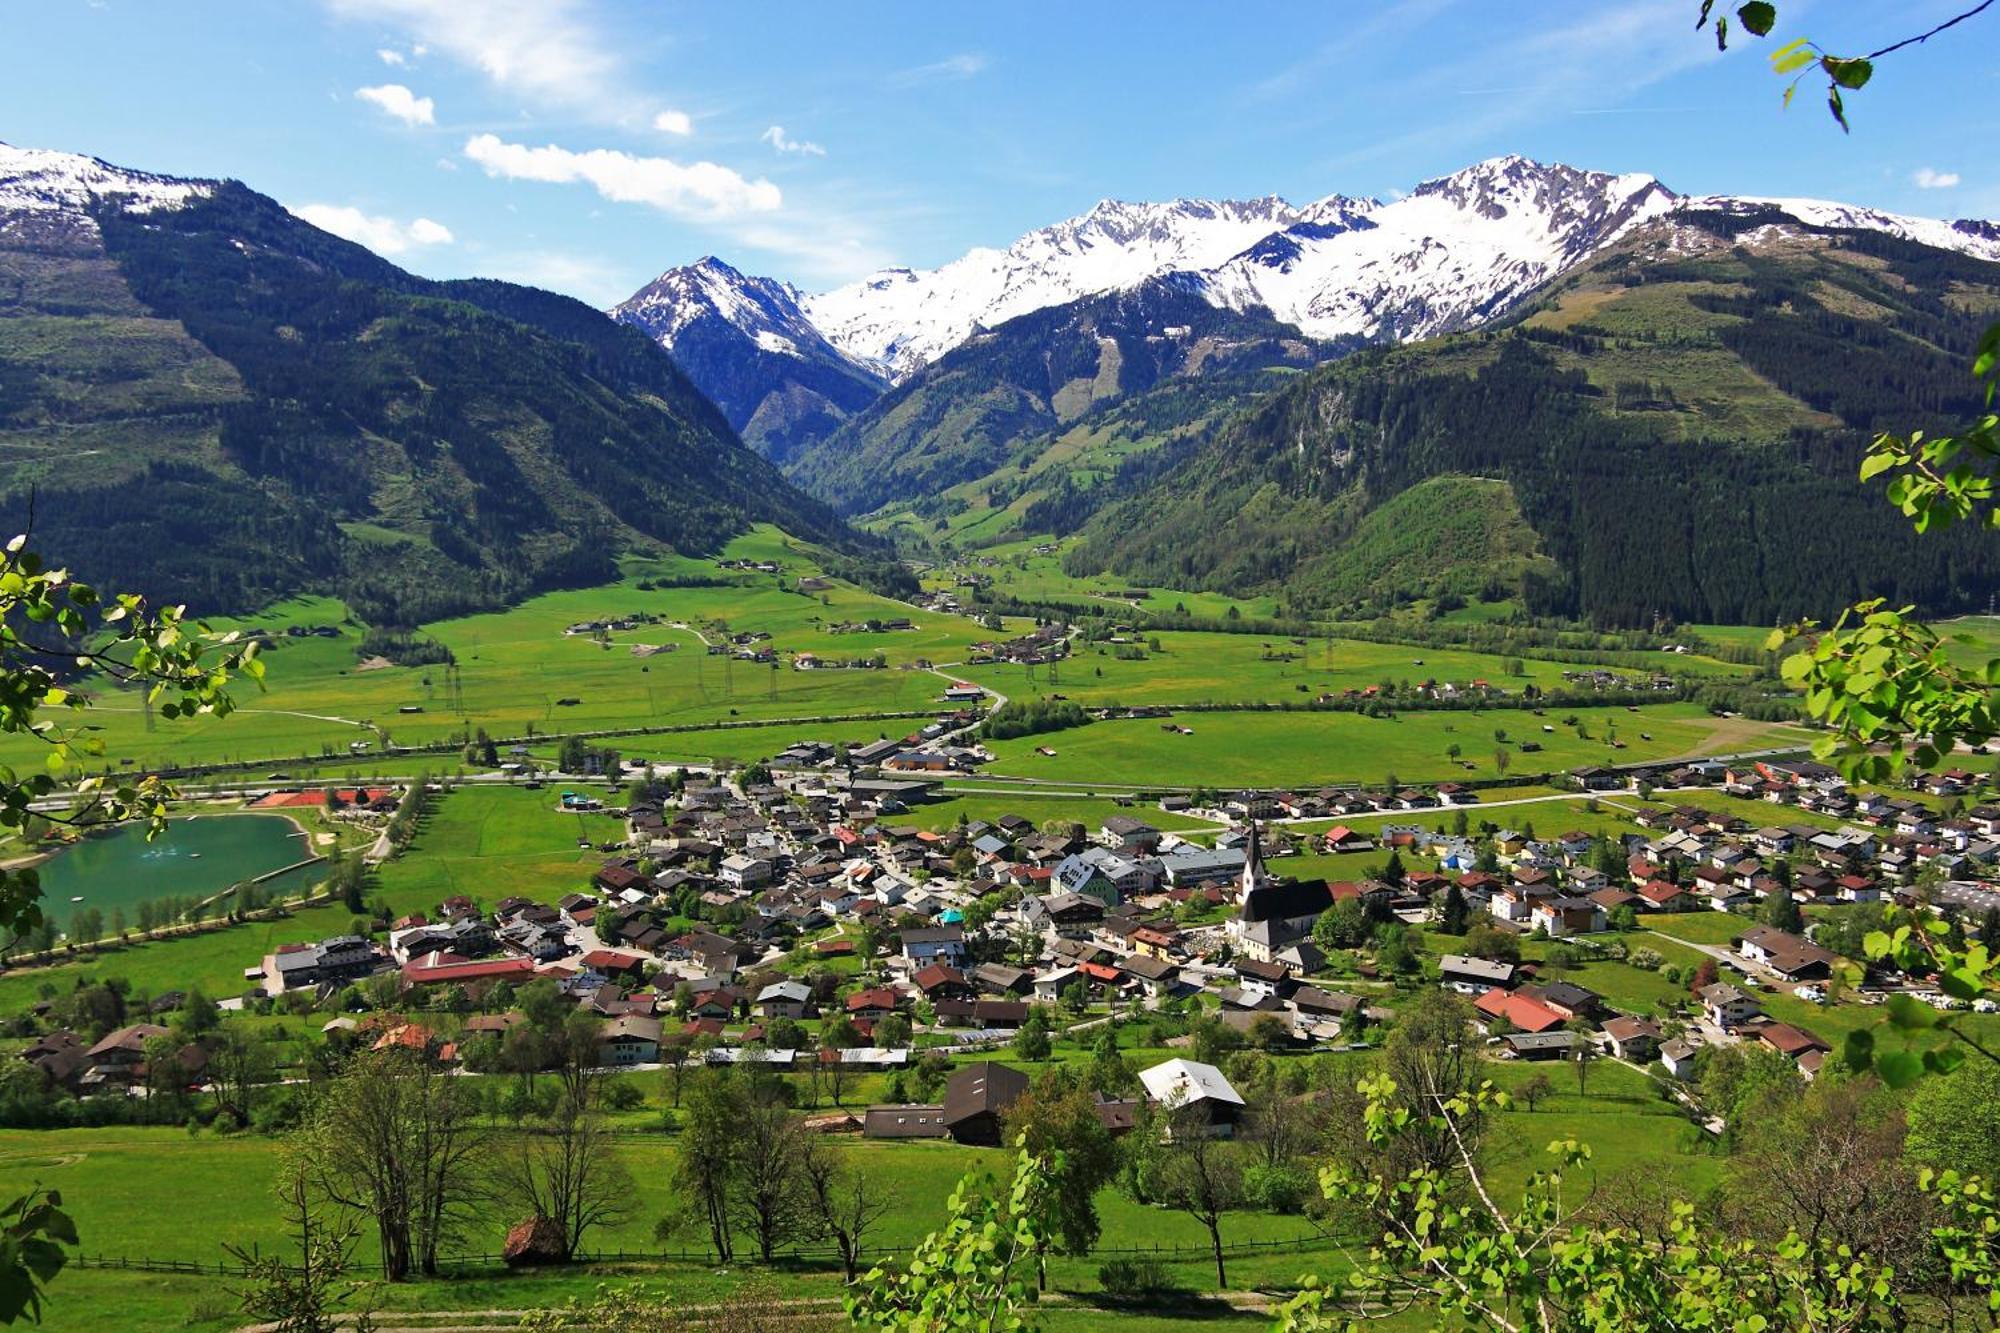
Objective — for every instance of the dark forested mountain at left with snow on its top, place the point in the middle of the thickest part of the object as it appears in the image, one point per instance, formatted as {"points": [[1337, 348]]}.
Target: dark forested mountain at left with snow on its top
{"points": [[217, 403]]}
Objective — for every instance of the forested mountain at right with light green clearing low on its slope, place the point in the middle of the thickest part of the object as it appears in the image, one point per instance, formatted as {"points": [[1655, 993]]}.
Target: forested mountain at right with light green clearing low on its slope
{"points": [[1679, 425]]}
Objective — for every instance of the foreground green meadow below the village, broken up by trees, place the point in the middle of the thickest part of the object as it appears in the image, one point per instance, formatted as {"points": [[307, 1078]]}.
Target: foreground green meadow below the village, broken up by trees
{"points": [[115, 1180]]}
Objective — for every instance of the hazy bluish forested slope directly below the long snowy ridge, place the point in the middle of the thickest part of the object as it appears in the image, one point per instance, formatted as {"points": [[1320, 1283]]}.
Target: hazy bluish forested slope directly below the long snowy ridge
{"points": [[971, 411]]}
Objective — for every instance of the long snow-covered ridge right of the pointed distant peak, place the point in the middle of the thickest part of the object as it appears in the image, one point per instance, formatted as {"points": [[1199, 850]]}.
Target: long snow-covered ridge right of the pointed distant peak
{"points": [[1453, 253]]}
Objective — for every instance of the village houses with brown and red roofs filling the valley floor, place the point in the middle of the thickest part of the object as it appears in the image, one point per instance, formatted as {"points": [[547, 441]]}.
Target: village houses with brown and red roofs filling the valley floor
{"points": [[735, 910]]}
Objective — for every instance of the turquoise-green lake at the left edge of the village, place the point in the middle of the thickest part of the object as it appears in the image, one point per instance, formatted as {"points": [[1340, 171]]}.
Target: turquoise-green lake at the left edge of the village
{"points": [[199, 856]]}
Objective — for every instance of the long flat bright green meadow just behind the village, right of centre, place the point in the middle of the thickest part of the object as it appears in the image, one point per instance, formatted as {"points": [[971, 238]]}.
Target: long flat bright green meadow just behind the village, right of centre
{"points": [[1333, 748]]}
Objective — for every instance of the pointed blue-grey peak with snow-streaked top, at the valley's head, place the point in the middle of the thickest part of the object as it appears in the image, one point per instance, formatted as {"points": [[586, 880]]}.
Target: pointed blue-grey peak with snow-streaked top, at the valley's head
{"points": [[749, 345]]}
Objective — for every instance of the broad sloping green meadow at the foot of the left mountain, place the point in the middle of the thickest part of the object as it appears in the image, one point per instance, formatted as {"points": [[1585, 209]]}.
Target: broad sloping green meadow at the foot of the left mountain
{"points": [[513, 668]]}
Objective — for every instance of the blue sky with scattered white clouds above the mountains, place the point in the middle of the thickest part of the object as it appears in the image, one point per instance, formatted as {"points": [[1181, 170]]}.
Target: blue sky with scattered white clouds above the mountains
{"points": [[587, 145]]}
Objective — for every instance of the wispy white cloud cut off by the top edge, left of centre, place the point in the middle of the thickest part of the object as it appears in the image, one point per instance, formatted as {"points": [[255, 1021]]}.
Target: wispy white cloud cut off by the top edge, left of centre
{"points": [[541, 49]]}
